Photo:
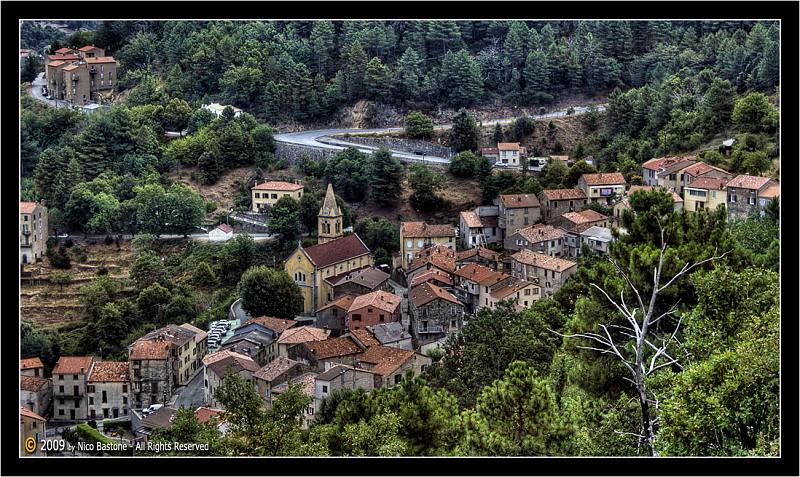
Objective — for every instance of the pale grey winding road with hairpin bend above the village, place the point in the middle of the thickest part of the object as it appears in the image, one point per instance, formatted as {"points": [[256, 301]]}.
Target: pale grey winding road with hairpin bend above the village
{"points": [[326, 138]]}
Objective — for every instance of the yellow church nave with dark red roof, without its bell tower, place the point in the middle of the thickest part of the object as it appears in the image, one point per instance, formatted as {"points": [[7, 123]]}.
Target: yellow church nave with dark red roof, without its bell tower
{"points": [[314, 267]]}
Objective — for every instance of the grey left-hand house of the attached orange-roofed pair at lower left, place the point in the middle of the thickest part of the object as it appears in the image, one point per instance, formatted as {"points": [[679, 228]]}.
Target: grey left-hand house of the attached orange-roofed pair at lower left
{"points": [[69, 388]]}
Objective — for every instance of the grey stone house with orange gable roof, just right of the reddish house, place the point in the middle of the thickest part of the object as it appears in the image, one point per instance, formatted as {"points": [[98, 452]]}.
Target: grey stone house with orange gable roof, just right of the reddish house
{"points": [[434, 312]]}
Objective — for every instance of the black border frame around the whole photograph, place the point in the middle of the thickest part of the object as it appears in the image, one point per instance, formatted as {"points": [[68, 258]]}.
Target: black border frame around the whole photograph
{"points": [[787, 12]]}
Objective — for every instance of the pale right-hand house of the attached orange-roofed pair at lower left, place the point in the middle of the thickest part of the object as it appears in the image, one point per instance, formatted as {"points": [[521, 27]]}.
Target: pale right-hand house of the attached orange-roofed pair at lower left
{"points": [[107, 390]]}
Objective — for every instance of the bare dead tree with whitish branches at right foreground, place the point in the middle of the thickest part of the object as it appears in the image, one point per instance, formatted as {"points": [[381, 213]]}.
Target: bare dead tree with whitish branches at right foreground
{"points": [[640, 355]]}
